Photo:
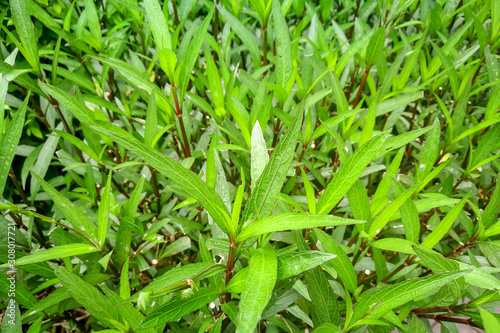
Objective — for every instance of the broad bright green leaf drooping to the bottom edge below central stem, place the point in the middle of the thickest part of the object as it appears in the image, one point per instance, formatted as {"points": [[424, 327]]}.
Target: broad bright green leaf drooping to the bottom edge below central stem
{"points": [[259, 285]]}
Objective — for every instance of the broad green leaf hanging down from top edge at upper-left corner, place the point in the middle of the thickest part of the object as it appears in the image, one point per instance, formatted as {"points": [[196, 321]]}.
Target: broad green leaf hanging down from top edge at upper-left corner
{"points": [[25, 29]]}
